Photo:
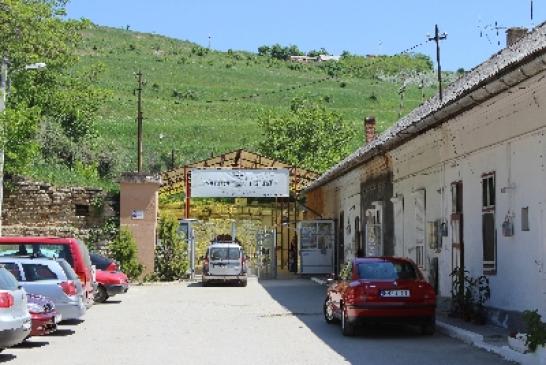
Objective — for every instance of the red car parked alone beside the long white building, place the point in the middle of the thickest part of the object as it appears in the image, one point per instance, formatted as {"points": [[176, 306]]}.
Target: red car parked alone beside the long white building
{"points": [[380, 289]]}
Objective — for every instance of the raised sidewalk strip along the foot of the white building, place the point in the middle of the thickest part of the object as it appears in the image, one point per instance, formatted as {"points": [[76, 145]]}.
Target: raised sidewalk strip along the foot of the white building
{"points": [[488, 337]]}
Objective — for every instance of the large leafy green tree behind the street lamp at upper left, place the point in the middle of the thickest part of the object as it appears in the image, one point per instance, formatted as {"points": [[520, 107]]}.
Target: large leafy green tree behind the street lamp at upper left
{"points": [[35, 31]]}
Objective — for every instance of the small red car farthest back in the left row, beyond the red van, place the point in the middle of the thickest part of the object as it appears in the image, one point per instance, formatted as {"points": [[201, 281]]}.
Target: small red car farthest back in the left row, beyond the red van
{"points": [[110, 281]]}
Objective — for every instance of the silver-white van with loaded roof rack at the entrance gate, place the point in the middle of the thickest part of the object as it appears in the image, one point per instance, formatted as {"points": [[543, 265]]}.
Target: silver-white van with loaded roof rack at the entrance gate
{"points": [[224, 262]]}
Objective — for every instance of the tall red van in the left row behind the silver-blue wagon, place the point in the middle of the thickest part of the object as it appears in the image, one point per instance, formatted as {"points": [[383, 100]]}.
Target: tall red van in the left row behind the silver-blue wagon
{"points": [[72, 250]]}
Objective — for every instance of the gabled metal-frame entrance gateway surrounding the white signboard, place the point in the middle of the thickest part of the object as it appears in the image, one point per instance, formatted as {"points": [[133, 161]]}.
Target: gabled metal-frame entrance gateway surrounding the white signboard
{"points": [[253, 217]]}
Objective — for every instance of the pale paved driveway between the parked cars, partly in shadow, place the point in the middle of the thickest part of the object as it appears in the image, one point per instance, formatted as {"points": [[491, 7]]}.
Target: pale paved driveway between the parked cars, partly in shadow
{"points": [[276, 322]]}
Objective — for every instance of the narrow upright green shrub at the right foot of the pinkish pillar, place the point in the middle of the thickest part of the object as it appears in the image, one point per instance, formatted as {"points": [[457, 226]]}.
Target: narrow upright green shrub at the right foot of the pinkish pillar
{"points": [[171, 257]]}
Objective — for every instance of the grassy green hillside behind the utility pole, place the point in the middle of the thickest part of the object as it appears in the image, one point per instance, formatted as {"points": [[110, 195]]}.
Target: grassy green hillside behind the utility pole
{"points": [[181, 79]]}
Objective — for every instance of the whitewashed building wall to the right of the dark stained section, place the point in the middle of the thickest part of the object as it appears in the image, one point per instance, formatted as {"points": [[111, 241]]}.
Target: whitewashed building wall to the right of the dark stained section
{"points": [[505, 135]]}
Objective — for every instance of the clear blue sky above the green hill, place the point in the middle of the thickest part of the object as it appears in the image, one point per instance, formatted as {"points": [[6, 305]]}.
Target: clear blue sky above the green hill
{"points": [[359, 26]]}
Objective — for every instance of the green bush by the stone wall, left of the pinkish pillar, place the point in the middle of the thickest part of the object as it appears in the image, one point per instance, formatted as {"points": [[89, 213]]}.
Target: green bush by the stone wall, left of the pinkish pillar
{"points": [[123, 249]]}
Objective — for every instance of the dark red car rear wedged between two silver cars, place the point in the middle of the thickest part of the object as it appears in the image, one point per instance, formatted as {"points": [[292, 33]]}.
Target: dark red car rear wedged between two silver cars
{"points": [[43, 315]]}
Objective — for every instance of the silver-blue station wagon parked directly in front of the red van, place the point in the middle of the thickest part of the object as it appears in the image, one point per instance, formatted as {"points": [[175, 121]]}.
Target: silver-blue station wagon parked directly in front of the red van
{"points": [[52, 278]]}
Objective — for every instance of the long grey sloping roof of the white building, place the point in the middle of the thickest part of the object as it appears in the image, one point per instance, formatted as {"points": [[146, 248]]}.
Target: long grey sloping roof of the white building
{"points": [[520, 53]]}
